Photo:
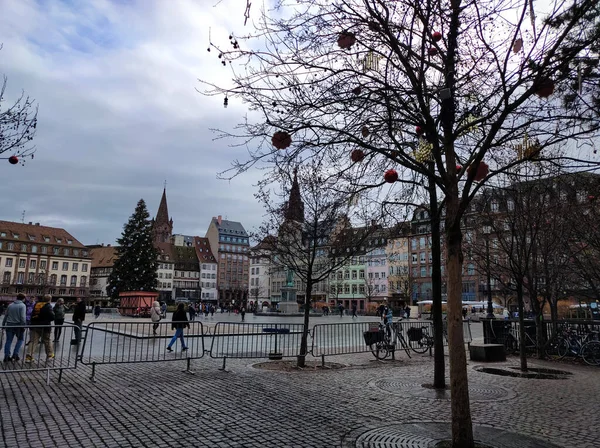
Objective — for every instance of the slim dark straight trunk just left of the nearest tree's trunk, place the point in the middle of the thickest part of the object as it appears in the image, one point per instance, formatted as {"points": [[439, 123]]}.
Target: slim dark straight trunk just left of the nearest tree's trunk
{"points": [[439, 368]]}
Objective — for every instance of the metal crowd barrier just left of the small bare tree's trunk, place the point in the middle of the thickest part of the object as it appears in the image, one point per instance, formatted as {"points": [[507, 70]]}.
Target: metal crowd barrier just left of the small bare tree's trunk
{"points": [[248, 340]]}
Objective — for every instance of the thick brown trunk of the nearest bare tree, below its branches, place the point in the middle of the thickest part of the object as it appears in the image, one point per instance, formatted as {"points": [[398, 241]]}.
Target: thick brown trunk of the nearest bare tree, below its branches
{"points": [[462, 426]]}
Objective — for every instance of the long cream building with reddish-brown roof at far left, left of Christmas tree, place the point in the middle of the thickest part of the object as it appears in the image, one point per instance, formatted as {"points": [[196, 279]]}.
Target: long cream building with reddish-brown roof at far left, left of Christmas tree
{"points": [[37, 260]]}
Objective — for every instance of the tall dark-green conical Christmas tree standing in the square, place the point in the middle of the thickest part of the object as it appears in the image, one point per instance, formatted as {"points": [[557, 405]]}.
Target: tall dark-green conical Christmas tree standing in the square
{"points": [[135, 268]]}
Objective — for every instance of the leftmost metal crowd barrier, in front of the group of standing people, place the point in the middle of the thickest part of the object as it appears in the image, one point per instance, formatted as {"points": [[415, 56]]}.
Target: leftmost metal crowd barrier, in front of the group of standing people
{"points": [[38, 349]]}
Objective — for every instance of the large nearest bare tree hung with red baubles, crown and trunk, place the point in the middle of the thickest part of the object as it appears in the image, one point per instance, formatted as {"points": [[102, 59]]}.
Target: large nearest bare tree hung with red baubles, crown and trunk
{"points": [[442, 89]]}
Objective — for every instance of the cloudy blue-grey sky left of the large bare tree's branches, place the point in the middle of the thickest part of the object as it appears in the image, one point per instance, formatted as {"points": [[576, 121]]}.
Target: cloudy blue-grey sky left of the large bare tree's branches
{"points": [[119, 114]]}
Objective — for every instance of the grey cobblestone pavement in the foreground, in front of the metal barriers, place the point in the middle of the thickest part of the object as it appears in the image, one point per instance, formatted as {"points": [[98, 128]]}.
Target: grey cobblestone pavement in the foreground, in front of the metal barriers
{"points": [[156, 404]]}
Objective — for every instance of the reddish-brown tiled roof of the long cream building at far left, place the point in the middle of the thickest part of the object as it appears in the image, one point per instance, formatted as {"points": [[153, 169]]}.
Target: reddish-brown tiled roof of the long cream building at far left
{"points": [[35, 233]]}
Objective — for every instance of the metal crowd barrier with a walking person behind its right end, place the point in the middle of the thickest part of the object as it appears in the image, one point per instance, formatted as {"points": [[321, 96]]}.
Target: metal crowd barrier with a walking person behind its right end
{"points": [[121, 342]]}
